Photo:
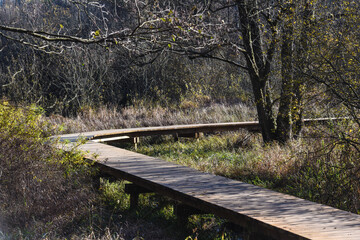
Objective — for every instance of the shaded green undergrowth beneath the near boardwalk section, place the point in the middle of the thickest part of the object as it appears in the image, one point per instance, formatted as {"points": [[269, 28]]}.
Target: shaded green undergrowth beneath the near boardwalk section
{"points": [[158, 213]]}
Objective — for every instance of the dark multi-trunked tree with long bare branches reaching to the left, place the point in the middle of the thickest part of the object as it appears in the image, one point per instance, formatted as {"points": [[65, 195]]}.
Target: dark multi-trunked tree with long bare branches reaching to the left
{"points": [[254, 36]]}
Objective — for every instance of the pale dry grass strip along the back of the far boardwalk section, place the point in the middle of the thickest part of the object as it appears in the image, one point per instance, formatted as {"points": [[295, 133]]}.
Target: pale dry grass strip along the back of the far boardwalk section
{"points": [[144, 116]]}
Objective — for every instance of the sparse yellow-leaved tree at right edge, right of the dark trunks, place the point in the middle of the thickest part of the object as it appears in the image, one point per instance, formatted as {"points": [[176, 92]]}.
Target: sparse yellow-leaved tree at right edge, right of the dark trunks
{"points": [[334, 64]]}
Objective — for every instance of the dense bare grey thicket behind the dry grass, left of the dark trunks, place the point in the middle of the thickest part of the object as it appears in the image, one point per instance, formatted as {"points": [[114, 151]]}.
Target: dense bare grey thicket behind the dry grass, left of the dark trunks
{"points": [[91, 76]]}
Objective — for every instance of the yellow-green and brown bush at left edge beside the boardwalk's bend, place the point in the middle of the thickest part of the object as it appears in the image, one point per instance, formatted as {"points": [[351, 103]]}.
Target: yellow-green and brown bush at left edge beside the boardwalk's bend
{"points": [[42, 189]]}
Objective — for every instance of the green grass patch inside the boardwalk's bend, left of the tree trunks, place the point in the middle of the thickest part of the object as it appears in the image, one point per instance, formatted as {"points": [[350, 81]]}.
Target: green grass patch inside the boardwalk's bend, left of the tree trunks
{"points": [[221, 154]]}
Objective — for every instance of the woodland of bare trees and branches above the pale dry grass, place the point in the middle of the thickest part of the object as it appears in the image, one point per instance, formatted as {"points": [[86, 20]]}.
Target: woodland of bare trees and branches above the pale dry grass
{"points": [[281, 56]]}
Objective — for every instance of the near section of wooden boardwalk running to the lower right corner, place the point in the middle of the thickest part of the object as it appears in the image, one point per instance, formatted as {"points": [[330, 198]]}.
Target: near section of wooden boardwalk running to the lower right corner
{"points": [[274, 214]]}
